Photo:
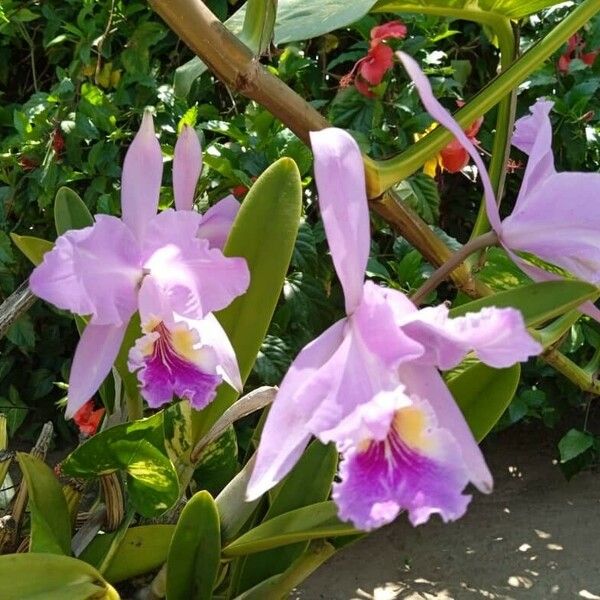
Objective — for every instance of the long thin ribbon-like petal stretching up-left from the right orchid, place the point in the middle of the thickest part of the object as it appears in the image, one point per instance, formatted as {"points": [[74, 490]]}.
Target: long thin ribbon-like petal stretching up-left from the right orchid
{"points": [[440, 114]]}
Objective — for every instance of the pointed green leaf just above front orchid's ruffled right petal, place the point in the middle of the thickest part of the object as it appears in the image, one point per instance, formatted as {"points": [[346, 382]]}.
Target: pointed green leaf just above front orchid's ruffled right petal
{"points": [[538, 302]]}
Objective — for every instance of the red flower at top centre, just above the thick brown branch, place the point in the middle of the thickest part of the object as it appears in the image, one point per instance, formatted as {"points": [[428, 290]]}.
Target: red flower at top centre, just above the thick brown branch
{"points": [[379, 59]]}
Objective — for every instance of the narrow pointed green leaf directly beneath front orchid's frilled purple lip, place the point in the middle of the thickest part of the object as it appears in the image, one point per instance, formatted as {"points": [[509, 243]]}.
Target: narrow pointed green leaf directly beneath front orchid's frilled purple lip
{"points": [[307, 523]]}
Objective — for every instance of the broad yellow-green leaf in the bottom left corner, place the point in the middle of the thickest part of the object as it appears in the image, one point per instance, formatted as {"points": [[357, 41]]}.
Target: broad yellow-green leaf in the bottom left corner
{"points": [[34, 576]]}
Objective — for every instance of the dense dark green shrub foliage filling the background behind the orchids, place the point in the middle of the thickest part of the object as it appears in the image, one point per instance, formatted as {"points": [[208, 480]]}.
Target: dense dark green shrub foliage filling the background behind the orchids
{"points": [[74, 79]]}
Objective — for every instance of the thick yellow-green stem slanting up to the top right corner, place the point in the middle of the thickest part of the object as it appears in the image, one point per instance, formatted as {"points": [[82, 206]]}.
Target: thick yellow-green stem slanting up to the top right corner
{"points": [[384, 174]]}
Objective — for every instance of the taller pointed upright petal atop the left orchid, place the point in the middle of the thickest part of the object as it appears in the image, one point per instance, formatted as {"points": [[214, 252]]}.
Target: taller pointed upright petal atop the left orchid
{"points": [[140, 181]]}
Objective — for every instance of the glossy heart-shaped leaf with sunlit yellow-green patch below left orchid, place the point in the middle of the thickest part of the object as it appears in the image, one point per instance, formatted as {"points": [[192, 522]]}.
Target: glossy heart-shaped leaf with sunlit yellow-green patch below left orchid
{"points": [[138, 449]]}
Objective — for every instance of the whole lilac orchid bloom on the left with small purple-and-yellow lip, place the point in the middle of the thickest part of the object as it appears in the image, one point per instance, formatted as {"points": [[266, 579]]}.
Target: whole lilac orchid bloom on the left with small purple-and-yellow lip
{"points": [[108, 270]]}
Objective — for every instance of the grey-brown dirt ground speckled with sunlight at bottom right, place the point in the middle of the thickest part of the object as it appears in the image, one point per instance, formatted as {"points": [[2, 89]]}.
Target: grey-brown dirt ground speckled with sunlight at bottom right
{"points": [[536, 537]]}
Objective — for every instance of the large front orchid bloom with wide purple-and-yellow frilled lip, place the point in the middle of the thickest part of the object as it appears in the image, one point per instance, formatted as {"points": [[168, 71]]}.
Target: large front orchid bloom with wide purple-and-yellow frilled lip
{"points": [[370, 383]]}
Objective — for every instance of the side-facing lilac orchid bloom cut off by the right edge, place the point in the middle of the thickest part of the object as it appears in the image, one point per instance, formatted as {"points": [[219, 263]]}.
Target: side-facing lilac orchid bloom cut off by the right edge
{"points": [[556, 215]]}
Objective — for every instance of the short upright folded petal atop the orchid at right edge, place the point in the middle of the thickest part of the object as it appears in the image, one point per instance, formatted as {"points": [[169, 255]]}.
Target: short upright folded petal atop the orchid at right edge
{"points": [[533, 135]]}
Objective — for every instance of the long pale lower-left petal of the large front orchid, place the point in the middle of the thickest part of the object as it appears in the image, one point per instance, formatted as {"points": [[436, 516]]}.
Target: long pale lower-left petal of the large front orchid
{"points": [[285, 434]]}
